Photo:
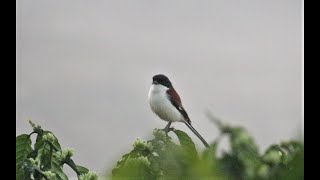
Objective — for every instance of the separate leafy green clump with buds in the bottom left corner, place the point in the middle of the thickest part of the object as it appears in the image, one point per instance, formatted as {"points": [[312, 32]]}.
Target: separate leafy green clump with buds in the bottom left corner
{"points": [[46, 158]]}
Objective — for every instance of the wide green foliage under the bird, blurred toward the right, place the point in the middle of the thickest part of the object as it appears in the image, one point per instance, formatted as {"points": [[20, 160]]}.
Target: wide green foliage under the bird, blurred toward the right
{"points": [[161, 158]]}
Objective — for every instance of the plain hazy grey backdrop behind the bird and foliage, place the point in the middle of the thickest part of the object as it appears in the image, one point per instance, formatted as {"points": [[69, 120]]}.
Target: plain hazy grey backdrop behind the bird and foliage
{"points": [[84, 69]]}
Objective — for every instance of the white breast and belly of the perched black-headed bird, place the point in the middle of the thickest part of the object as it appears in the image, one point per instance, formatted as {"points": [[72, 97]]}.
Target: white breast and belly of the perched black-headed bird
{"points": [[161, 105]]}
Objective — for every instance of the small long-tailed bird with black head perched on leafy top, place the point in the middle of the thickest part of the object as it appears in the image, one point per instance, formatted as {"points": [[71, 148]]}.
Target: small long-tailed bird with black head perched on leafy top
{"points": [[165, 102]]}
